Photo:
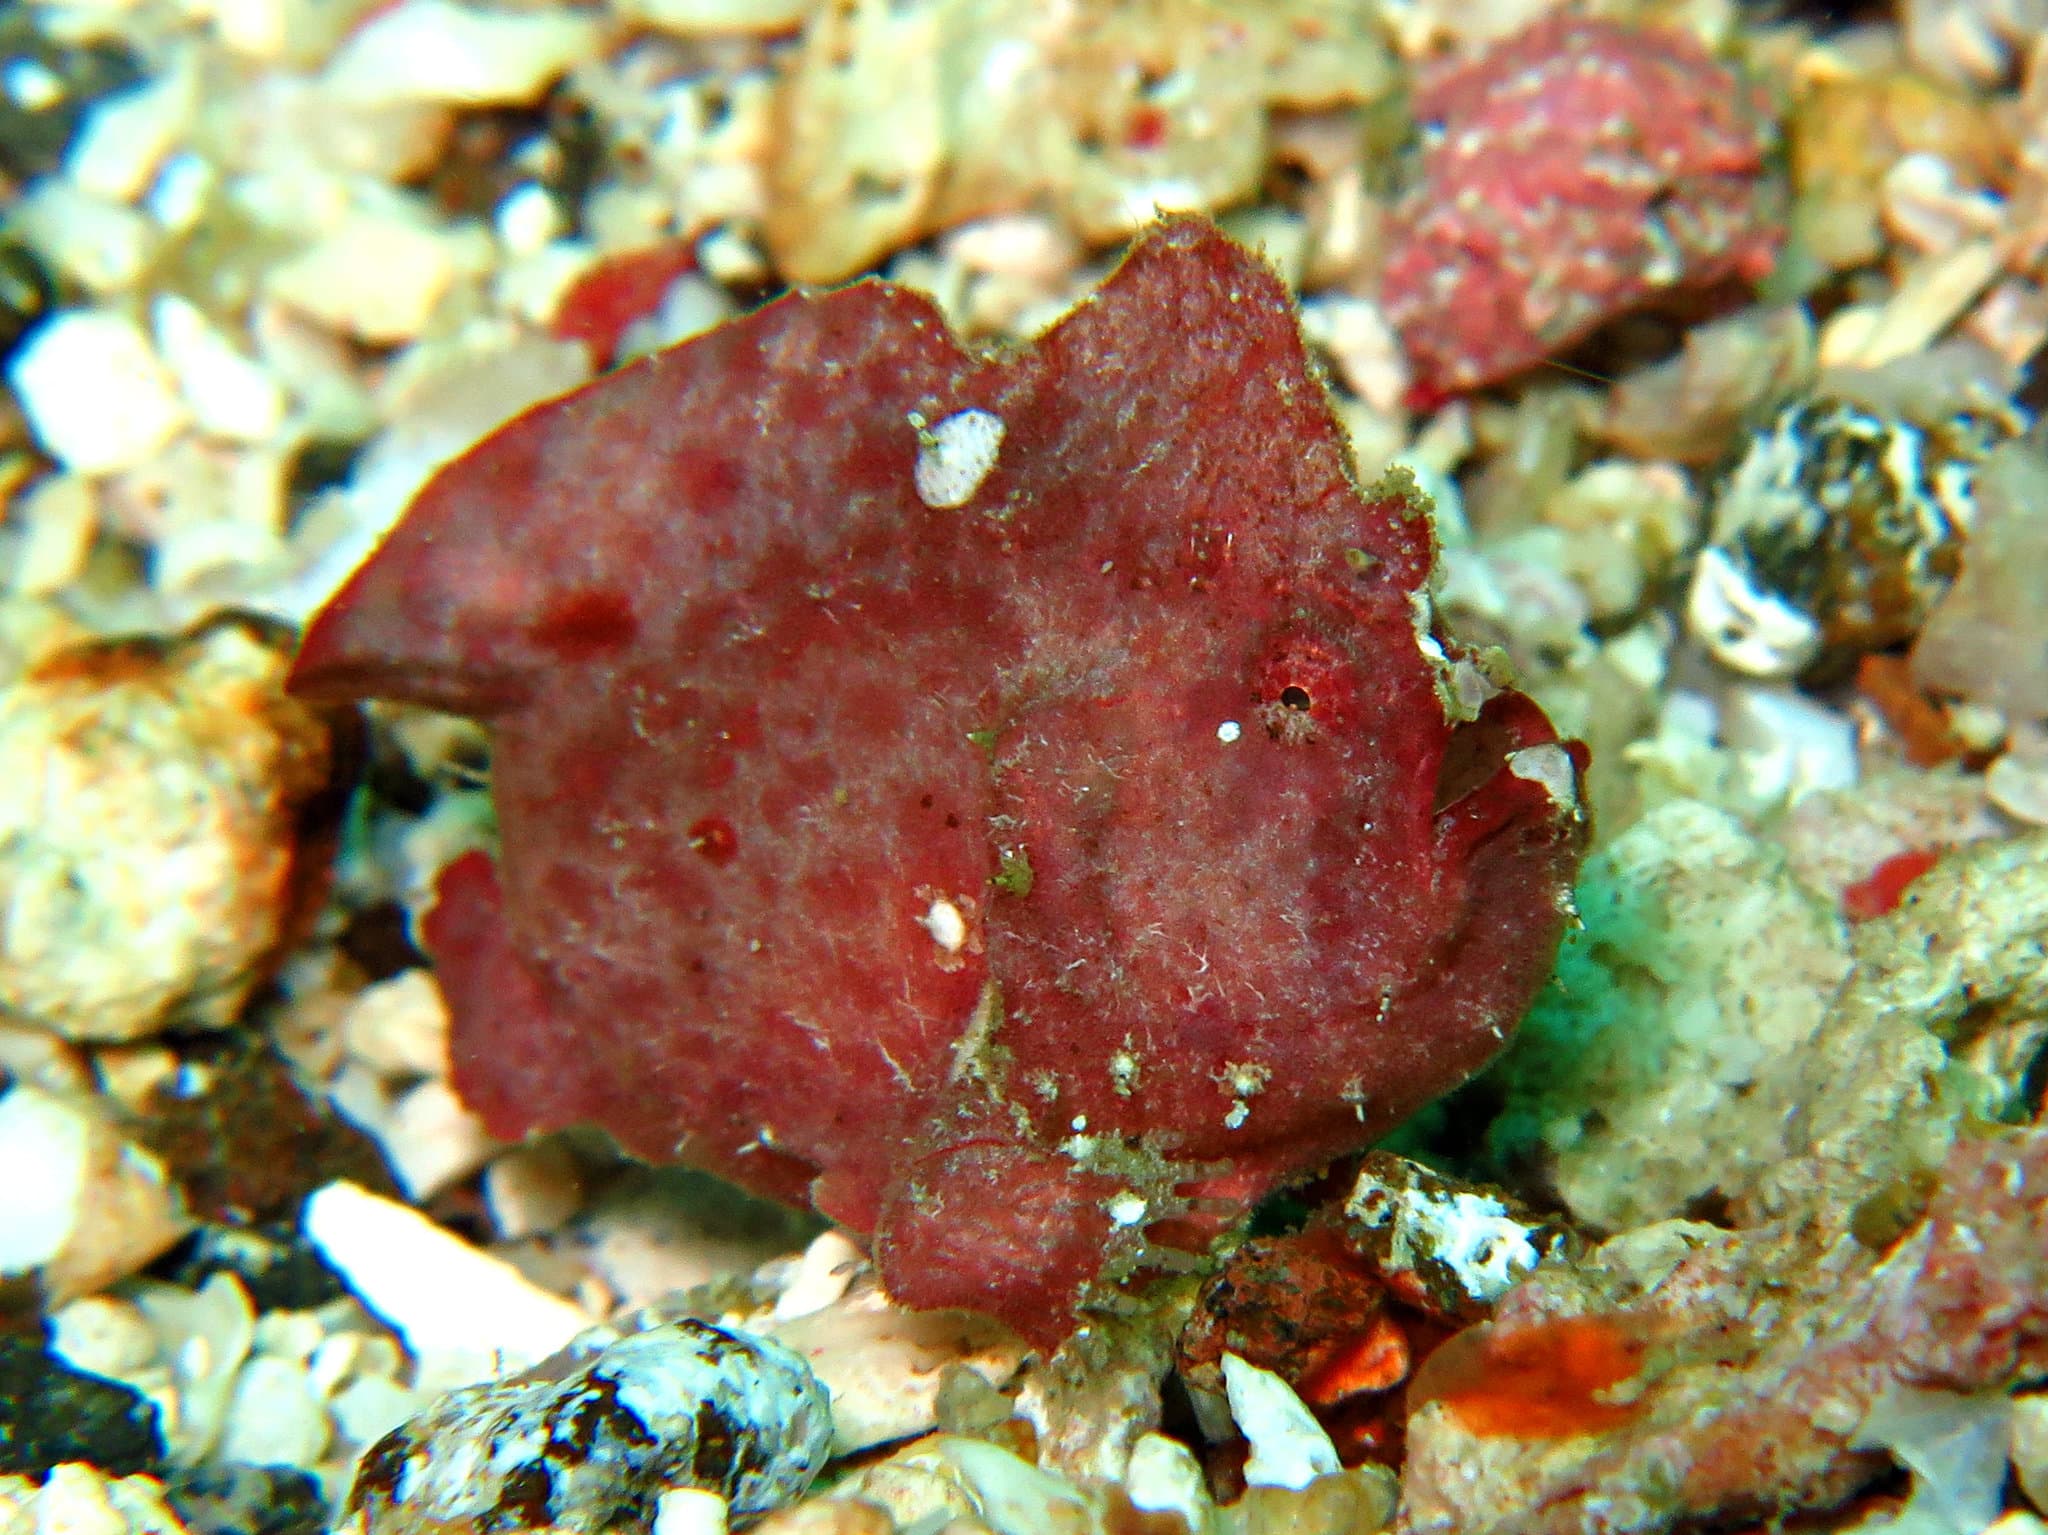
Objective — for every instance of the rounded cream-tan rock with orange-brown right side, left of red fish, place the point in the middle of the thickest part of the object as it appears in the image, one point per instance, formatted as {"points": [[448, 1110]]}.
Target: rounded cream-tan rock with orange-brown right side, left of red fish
{"points": [[148, 848]]}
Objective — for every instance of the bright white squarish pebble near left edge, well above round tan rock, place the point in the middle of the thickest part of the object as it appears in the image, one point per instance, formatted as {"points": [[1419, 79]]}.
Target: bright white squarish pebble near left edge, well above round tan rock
{"points": [[95, 392]]}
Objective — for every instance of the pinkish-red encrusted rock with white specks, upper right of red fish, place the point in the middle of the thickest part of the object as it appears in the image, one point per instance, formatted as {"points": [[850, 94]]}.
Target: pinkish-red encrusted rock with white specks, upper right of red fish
{"points": [[1570, 175]]}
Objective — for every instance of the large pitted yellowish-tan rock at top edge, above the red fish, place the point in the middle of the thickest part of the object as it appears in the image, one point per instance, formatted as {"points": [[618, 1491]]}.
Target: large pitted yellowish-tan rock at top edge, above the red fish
{"points": [[904, 120]]}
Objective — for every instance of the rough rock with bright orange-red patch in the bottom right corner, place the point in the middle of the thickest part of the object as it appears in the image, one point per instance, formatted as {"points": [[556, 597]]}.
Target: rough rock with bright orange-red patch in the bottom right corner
{"points": [[1687, 1378]]}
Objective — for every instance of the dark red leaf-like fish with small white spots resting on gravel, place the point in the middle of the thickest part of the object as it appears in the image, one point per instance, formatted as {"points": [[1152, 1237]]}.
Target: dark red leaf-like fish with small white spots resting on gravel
{"points": [[1019, 805]]}
